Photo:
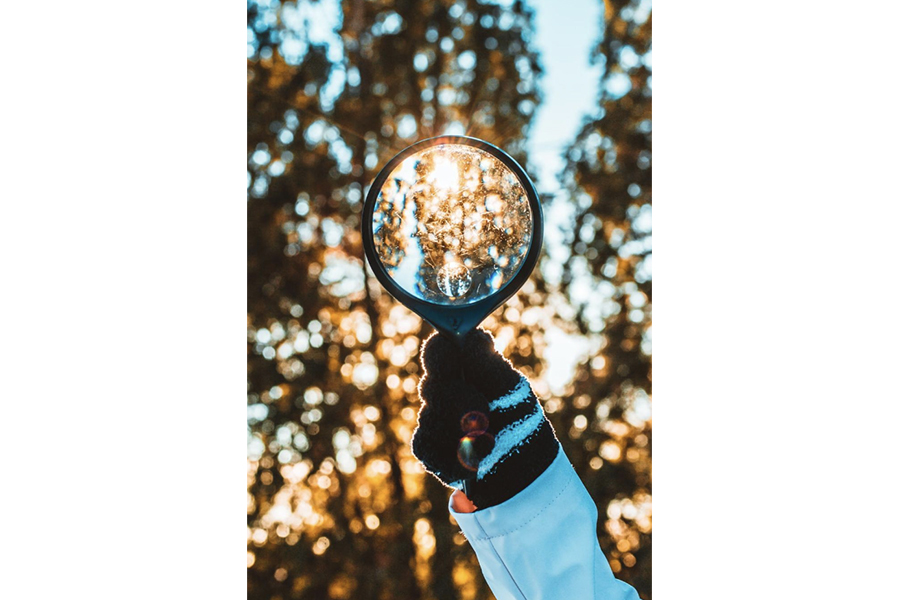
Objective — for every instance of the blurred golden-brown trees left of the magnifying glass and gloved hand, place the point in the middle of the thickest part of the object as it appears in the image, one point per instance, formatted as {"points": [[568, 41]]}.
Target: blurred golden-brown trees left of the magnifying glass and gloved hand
{"points": [[337, 506]]}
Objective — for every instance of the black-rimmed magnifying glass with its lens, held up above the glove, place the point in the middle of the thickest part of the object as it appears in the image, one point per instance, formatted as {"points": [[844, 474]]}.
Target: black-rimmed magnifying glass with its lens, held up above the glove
{"points": [[452, 228]]}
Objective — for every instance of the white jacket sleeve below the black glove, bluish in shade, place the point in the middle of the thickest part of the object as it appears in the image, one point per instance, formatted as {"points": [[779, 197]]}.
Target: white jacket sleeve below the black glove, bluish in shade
{"points": [[542, 543]]}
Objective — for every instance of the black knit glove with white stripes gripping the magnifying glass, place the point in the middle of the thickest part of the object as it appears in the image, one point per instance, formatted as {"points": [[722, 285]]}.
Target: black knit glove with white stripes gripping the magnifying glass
{"points": [[481, 428]]}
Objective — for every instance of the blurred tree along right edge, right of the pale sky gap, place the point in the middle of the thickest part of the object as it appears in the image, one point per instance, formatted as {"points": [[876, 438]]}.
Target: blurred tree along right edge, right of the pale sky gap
{"points": [[607, 180]]}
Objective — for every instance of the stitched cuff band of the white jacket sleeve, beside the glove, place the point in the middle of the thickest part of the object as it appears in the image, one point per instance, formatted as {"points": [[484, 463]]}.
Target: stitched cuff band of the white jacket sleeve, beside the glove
{"points": [[503, 518]]}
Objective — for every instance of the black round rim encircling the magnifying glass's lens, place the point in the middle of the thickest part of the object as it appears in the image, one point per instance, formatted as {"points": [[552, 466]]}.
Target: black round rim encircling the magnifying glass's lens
{"points": [[454, 321]]}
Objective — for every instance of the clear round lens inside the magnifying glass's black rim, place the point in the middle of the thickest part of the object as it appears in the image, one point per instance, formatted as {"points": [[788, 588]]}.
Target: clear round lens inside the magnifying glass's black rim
{"points": [[452, 224]]}
